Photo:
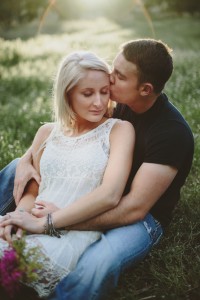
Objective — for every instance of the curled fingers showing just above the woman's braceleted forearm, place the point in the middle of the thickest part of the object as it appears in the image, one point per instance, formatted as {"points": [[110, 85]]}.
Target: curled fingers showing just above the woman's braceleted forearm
{"points": [[42, 208]]}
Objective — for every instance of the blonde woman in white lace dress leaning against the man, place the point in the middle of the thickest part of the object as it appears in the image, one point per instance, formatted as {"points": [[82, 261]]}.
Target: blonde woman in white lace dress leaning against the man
{"points": [[84, 159]]}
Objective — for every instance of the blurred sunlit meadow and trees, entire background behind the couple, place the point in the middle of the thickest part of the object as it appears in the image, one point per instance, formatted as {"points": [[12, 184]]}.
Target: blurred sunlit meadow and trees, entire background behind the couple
{"points": [[34, 36]]}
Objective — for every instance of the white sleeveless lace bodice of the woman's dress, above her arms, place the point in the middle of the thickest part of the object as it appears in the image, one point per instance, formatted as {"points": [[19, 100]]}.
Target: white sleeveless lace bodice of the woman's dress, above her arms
{"points": [[73, 166]]}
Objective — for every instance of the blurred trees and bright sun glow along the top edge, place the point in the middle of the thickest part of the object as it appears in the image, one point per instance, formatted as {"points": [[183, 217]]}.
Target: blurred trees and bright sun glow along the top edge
{"points": [[50, 16]]}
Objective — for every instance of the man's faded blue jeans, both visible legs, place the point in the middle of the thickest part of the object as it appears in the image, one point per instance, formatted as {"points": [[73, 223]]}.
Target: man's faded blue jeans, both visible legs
{"points": [[100, 266]]}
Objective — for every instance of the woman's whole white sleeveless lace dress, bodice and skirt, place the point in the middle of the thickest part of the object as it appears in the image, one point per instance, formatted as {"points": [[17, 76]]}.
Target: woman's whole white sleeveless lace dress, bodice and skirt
{"points": [[70, 167]]}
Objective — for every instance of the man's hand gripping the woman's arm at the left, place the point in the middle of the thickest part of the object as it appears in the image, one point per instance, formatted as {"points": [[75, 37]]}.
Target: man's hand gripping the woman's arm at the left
{"points": [[24, 172]]}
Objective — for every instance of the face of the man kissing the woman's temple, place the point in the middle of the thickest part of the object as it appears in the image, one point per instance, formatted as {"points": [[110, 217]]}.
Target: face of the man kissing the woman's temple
{"points": [[124, 81]]}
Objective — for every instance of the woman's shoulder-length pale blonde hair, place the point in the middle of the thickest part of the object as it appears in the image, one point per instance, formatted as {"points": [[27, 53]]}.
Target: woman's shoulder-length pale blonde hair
{"points": [[72, 68]]}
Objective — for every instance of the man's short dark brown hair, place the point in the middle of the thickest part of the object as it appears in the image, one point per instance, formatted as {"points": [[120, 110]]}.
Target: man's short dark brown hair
{"points": [[153, 60]]}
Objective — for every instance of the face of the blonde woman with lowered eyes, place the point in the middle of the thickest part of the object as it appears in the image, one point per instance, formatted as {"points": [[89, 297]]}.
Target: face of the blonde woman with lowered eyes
{"points": [[89, 98]]}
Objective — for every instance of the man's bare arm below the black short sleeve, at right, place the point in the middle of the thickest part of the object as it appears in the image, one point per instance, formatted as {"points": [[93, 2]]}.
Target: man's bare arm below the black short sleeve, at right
{"points": [[150, 182]]}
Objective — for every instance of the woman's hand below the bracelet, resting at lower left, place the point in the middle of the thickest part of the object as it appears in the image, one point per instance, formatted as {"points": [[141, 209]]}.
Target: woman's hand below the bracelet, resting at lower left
{"points": [[23, 220]]}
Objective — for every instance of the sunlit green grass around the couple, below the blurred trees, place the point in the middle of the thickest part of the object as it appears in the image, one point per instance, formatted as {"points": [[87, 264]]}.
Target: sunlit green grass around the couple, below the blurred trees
{"points": [[27, 67]]}
